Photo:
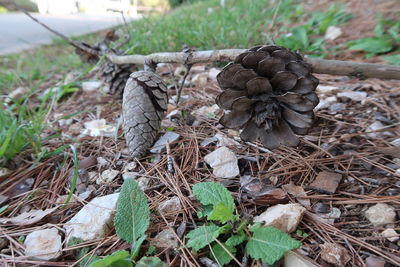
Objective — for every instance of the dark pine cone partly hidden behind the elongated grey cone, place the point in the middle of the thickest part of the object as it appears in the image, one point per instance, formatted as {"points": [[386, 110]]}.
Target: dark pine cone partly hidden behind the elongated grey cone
{"points": [[116, 76]]}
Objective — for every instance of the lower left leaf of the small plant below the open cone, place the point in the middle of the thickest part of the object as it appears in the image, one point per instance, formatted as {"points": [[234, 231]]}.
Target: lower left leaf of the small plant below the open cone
{"points": [[202, 236]]}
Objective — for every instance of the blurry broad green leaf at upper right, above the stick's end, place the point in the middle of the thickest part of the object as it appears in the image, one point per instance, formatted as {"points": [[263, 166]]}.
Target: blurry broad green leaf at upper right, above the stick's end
{"points": [[376, 45]]}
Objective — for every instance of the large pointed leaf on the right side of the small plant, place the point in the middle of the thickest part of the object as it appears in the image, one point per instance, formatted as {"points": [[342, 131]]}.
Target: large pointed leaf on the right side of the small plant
{"points": [[269, 244]]}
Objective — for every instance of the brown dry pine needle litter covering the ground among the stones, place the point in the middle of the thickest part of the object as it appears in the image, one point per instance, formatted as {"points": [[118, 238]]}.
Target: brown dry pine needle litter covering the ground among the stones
{"points": [[338, 143]]}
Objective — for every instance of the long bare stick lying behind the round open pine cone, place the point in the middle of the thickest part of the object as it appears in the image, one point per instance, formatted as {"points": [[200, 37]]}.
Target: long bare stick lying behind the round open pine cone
{"points": [[333, 67]]}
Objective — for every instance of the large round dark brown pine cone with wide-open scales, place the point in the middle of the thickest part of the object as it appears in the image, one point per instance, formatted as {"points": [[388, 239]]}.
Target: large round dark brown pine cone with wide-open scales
{"points": [[268, 92]]}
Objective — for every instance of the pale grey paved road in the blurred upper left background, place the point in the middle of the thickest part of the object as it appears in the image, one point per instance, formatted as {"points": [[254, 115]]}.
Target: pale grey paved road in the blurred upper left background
{"points": [[18, 32]]}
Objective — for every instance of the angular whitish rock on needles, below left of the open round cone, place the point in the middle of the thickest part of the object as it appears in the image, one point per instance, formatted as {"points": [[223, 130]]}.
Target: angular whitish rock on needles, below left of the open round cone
{"points": [[224, 163]]}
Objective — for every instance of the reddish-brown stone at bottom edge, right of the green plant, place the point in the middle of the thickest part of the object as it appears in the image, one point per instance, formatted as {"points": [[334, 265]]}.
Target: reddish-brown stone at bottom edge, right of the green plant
{"points": [[335, 254]]}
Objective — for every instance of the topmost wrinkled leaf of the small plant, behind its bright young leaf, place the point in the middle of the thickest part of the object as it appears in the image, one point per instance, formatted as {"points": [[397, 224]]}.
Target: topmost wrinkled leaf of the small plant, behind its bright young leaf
{"points": [[211, 193]]}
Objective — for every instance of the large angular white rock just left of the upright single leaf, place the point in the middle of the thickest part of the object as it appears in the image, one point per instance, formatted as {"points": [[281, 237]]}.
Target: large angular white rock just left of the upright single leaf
{"points": [[94, 219]]}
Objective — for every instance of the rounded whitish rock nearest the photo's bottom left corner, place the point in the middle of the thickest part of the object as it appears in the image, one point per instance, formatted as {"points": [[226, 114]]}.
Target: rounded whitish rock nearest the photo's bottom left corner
{"points": [[43, 244]]}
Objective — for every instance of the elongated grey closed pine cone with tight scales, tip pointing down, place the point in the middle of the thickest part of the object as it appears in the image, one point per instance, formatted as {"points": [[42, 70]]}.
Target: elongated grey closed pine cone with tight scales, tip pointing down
{"points": [[144, 103]]}
